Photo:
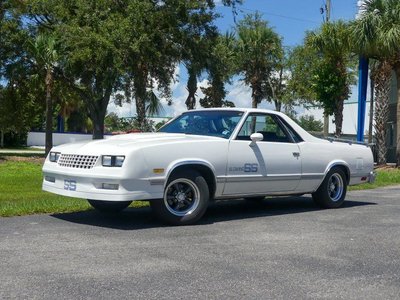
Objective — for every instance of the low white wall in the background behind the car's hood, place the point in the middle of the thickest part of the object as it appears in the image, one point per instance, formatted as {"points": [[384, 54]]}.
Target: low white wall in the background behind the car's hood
{"points": [[38, 138]]}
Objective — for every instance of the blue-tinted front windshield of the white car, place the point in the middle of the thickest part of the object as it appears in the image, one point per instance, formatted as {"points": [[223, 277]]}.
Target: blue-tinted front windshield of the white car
{"points": [[210, 123]]}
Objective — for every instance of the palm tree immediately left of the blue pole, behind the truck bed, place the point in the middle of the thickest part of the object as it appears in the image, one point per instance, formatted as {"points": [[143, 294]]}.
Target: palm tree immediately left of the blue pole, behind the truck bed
{"points": [[333, 43]]}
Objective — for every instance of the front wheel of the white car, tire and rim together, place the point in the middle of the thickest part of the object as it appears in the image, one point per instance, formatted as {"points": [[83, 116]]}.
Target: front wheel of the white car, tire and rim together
{"points": [[185, 201]]}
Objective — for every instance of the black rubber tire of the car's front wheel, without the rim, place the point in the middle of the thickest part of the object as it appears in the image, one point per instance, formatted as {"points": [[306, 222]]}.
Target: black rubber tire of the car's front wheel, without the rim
{"points": [[159, 208]]}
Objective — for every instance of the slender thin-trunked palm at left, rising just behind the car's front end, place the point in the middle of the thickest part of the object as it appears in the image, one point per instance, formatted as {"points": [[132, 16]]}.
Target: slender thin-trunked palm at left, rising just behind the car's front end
{"points": [[45, 58]]}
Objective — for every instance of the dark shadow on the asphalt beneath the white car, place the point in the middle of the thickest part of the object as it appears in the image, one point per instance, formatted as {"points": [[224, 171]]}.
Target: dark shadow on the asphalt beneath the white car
{"points": [[218, 211]]}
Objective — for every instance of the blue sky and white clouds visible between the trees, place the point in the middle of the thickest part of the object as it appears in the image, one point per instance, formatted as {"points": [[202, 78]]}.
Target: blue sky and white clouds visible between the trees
{"points": [[289, 18]]}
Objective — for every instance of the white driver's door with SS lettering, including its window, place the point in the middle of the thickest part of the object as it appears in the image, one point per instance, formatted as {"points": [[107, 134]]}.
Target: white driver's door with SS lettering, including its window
{"points": [[268, 166]]}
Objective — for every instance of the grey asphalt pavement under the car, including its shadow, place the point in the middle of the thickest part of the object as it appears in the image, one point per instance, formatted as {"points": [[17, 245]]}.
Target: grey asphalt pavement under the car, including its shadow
{"points": [[279, 249]]}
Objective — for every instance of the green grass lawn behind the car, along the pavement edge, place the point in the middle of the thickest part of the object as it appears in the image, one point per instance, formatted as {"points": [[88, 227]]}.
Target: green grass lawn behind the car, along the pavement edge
{"points": [[21, 188]]}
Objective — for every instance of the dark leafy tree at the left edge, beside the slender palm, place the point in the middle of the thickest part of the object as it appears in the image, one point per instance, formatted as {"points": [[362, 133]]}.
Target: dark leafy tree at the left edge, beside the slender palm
{"points": [[17, 108]]}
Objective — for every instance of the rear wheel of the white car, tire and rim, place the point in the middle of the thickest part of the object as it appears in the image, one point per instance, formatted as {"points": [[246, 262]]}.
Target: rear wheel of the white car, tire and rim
{"points": [[332, 191]]}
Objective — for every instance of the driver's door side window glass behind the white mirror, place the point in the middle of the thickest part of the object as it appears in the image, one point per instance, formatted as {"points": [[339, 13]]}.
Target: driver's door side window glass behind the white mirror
{"points": [[265, 124]]}
